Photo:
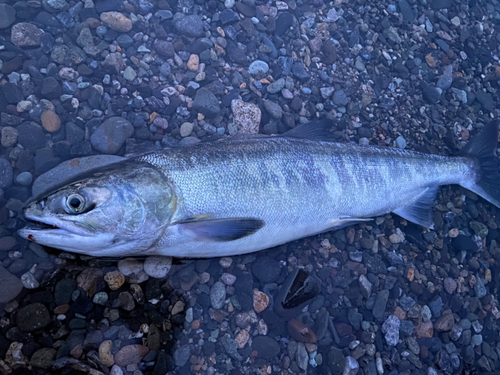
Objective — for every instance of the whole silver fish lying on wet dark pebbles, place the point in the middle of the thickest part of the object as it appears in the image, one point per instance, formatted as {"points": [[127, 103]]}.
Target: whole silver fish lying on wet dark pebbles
{"points": [[237, 196]]}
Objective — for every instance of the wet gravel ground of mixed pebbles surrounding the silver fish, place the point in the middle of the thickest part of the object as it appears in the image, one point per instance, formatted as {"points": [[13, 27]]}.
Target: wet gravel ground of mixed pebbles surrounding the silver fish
{"points": [[99, 80]]}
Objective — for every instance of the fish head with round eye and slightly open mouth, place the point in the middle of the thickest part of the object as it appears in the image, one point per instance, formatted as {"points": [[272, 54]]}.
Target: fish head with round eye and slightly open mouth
{"points": [[119, 210]]}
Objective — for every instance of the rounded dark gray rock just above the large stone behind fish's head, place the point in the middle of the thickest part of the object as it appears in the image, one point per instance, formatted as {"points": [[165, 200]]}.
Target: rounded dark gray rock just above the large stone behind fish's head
{"points": [[111, 135]]}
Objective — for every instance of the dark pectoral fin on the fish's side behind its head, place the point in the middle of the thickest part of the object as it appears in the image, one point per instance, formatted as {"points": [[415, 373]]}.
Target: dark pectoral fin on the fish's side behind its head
{"points": [[220, 230]]}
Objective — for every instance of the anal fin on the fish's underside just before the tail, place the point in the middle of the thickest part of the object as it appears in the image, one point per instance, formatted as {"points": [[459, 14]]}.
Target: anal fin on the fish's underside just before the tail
{"points": [[420, 211]]}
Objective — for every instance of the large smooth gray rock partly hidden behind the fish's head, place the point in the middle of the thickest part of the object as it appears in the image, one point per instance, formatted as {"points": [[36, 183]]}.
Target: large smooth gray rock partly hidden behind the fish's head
{"points": [[71, 168]]}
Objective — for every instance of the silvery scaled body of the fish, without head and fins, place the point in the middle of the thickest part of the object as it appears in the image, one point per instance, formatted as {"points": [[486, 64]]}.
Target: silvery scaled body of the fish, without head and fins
{"points": [[298, 187]]}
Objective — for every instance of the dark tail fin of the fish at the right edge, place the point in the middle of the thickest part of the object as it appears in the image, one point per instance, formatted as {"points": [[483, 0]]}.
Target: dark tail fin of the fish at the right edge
{"points": [[483, 148]]}
